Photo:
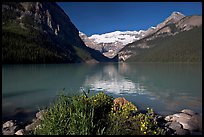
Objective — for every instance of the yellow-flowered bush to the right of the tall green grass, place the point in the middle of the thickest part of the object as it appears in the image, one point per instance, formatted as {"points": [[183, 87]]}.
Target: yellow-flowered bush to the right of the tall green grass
{"points": [[129, 121]]}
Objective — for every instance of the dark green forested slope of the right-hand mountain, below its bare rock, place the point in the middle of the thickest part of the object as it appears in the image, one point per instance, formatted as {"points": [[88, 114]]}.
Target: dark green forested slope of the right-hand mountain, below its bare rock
{"points": [[183, 47]]}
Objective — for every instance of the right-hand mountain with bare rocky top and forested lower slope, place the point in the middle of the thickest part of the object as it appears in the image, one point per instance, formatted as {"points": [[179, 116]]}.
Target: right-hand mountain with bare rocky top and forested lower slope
{"points": [[177, 39]]}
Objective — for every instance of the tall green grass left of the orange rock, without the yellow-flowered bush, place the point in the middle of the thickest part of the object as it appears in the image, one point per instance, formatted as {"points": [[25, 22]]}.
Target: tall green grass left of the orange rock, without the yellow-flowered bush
{"points": [[77, 115]]}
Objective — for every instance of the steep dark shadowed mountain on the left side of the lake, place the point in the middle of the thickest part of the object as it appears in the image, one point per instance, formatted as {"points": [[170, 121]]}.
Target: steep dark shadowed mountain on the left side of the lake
{"points": [[41, 32]]}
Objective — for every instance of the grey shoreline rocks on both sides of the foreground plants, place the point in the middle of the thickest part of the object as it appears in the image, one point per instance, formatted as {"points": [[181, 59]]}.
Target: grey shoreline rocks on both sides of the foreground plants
{"points": [[185, 122]]}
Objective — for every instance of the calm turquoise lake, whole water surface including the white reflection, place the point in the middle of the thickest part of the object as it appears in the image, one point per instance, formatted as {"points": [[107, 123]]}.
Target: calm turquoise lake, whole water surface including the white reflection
{"points": [[166, 87]]}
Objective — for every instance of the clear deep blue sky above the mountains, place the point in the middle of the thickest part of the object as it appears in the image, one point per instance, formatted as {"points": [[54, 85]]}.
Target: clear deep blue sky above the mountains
{"points": [[102, 17]]}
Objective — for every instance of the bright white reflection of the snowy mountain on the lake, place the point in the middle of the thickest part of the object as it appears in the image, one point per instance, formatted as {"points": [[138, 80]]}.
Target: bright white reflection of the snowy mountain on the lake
{"points": [[109, 80]]}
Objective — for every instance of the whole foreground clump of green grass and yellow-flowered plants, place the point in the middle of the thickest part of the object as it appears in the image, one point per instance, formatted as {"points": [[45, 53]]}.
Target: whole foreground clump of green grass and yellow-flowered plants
{"points": [[88, 114]]}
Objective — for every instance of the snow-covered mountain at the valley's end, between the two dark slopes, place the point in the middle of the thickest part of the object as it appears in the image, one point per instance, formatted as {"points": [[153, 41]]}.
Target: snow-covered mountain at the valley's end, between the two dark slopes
{"points": [[110, 43]]}
